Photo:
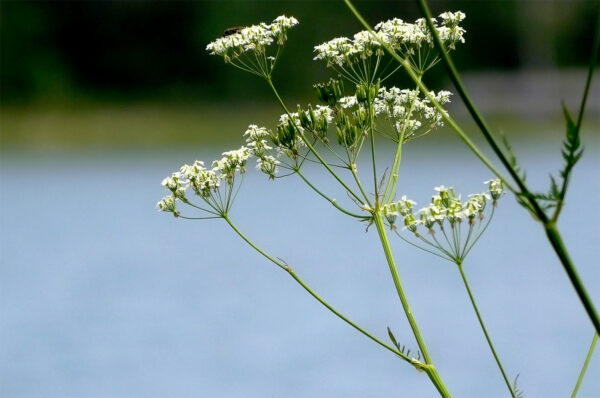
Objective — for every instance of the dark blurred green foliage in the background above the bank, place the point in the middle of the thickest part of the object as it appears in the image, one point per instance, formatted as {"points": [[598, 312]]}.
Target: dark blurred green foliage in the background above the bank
{"points": [[121, 51]]}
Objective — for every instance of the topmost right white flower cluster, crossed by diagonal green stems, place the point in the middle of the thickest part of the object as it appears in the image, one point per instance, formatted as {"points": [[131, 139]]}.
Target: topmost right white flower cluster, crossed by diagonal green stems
{"points": [[403, 37]]}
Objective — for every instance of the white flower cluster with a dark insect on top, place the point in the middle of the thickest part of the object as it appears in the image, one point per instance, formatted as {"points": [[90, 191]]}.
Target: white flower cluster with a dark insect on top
{"points": [[252, 38]]}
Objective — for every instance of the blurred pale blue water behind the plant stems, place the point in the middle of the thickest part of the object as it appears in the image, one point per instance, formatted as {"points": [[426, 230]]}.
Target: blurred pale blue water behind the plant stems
{"points": [[102, 296]]}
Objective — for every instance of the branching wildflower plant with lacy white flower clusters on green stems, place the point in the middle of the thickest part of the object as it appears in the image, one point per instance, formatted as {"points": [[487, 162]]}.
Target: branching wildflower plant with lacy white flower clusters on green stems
{"points": [[356, 112]]}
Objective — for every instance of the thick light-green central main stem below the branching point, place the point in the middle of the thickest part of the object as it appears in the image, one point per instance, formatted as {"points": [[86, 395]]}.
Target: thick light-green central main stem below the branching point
{"points": [[432, 372]]}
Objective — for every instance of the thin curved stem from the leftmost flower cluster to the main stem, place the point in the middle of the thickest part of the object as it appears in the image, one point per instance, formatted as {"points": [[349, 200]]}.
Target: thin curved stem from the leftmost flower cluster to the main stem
{"points": [[289, 270]]}
